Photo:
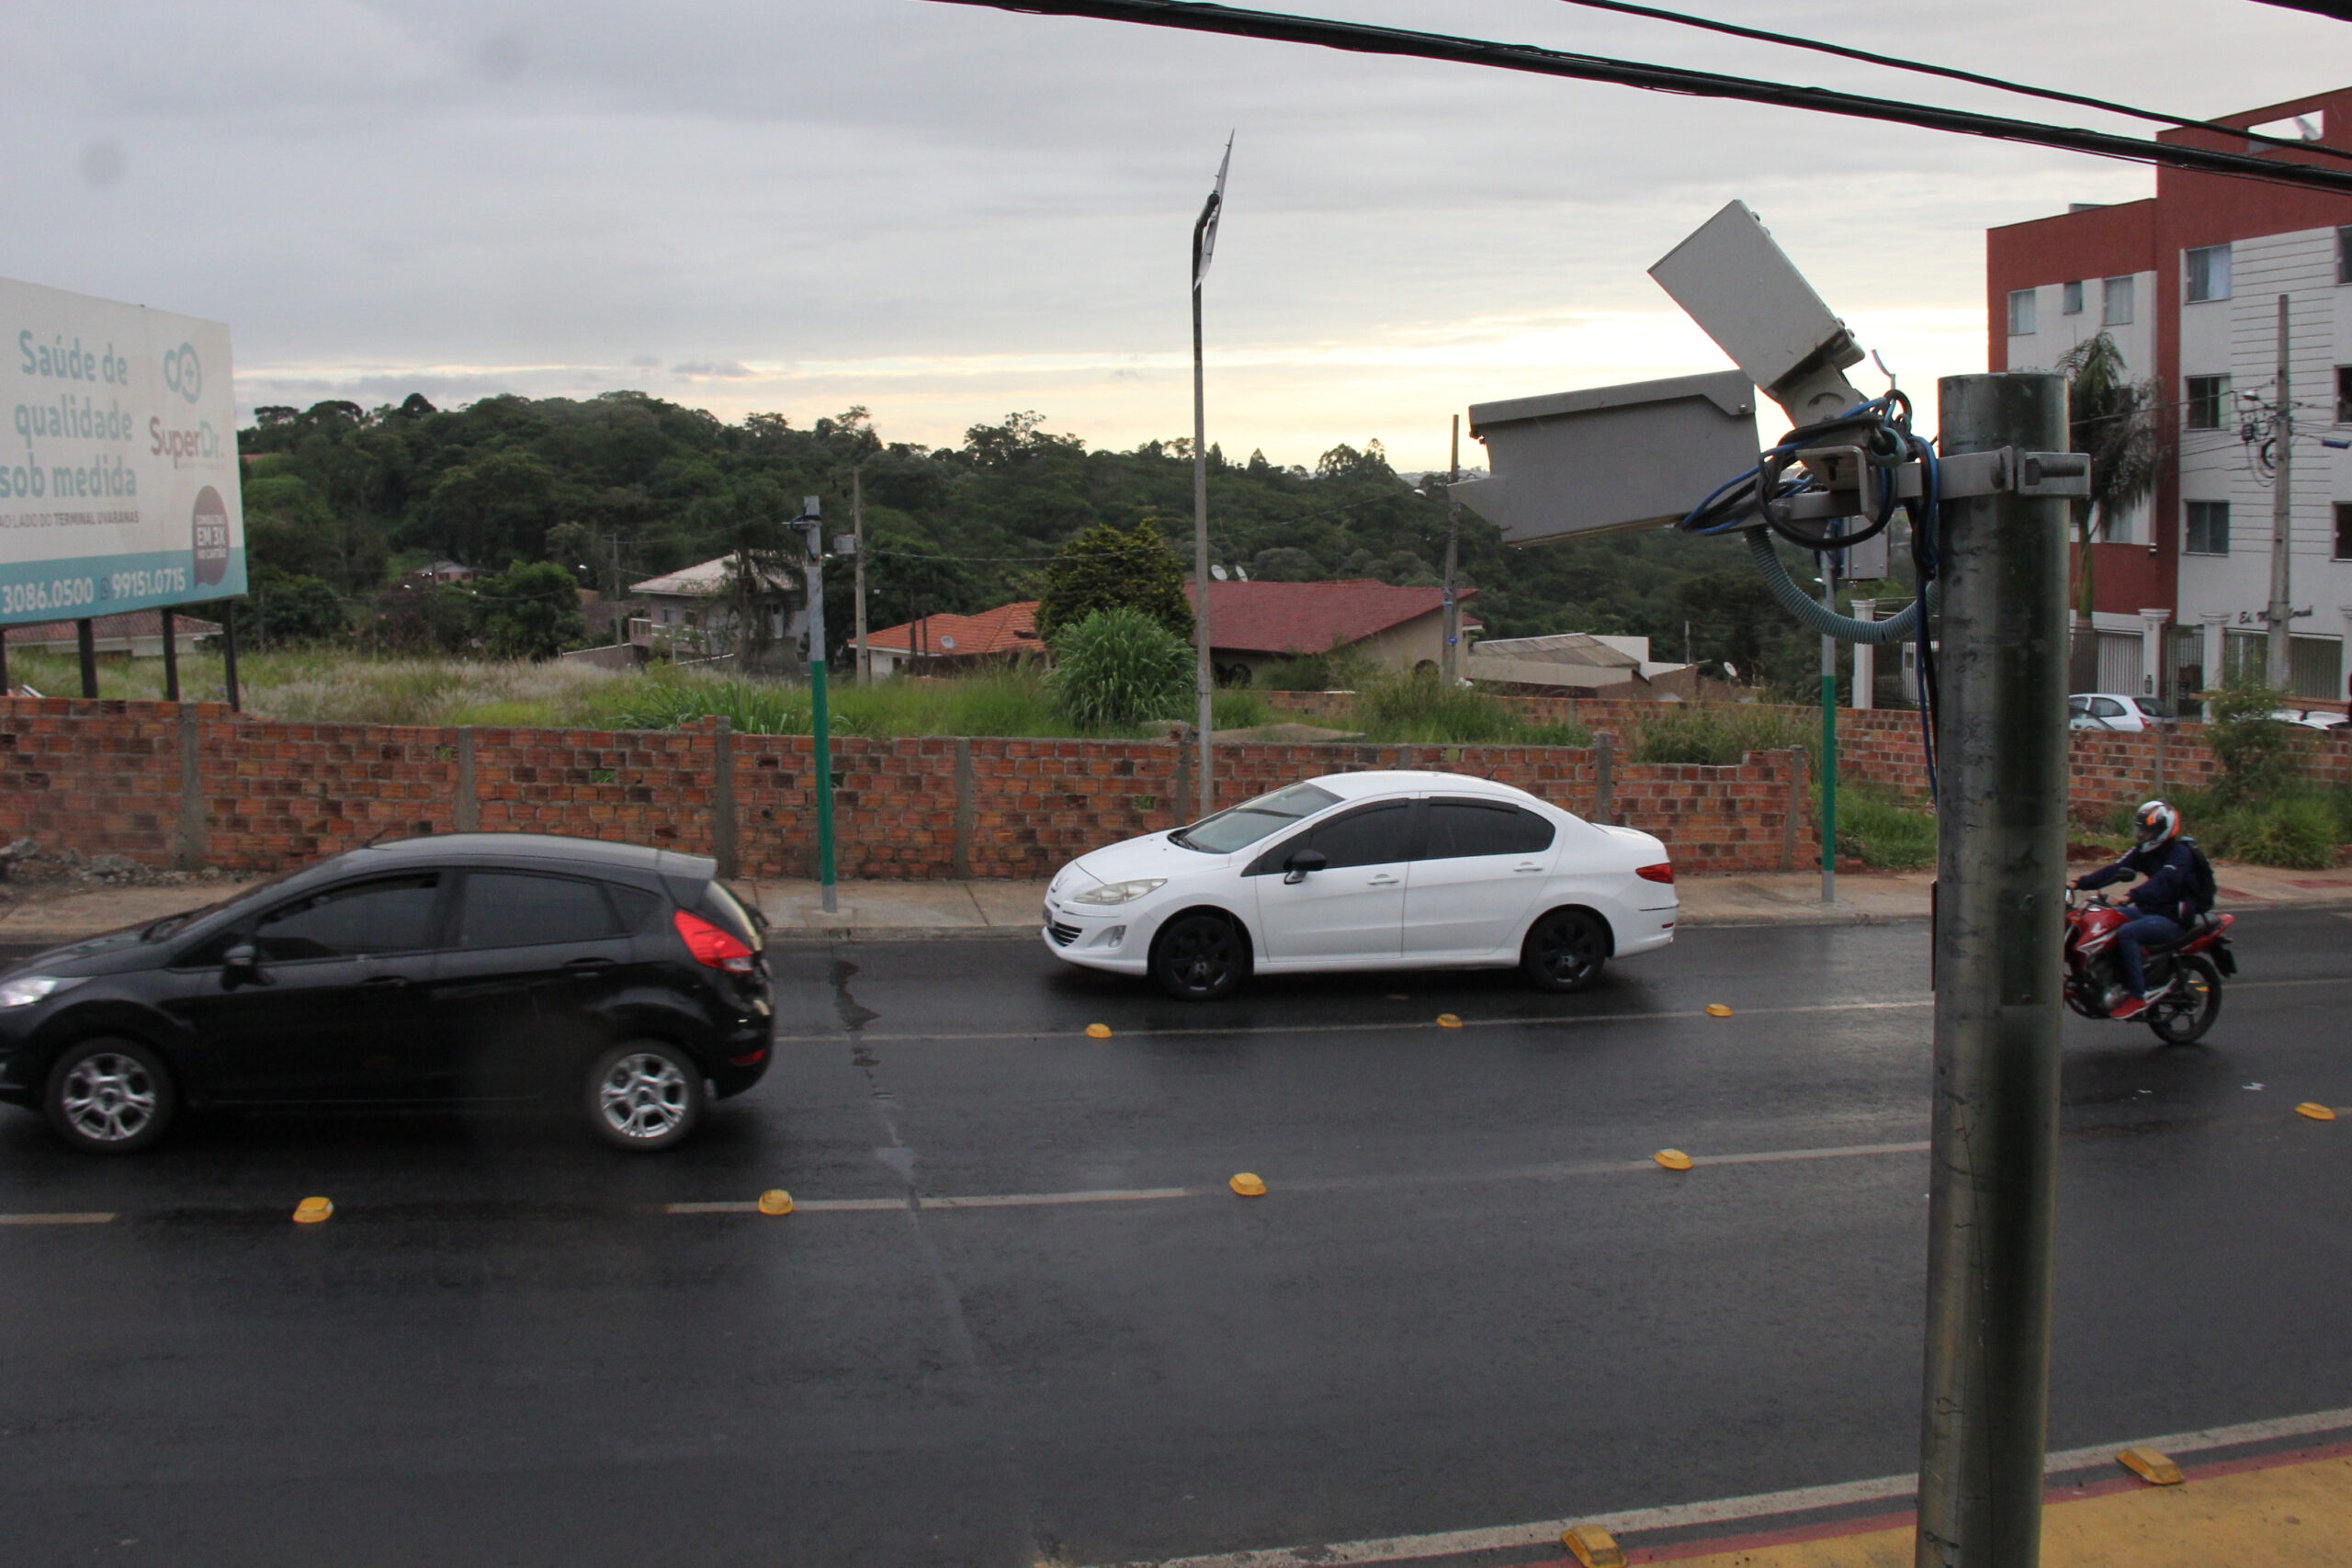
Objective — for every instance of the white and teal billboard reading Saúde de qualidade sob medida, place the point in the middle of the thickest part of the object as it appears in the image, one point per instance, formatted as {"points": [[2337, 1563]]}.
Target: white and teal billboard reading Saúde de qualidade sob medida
{"points": [[119, 469]]}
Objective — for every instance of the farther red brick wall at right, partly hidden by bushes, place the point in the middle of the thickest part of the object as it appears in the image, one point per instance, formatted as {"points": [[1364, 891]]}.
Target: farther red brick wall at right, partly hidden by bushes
{"points": [[1883, 746]]}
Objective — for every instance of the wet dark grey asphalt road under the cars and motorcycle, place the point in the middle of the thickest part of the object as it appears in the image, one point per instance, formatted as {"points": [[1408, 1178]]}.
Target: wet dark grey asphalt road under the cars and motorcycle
{"points": [[1466, 1301]]}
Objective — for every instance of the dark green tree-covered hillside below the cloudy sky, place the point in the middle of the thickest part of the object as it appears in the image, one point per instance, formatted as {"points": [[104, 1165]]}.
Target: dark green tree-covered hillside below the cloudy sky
{"points": [[627, 485]]}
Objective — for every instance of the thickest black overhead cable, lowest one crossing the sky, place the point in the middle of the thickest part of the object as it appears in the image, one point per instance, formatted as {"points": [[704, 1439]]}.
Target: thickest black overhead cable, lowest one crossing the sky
{"points": [[1356, 39]]}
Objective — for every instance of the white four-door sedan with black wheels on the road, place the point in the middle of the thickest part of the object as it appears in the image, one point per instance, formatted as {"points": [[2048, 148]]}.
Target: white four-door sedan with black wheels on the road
{"points": [[1368, 871]]}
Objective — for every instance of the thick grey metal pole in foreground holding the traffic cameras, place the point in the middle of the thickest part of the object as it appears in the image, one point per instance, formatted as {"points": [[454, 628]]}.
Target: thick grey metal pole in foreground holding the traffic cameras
{"points": [[1998, 991]]}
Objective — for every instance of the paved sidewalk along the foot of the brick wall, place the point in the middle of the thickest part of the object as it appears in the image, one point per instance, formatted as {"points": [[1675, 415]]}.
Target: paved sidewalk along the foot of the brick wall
{"points": [[907, 911]]}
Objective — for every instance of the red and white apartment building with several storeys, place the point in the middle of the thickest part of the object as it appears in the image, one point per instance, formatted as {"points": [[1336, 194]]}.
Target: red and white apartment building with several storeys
{"points": [[2189, 288]]}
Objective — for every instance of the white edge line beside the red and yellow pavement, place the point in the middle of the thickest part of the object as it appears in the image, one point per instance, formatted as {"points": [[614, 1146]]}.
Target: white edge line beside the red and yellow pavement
{"points": [[1760, 1506]]}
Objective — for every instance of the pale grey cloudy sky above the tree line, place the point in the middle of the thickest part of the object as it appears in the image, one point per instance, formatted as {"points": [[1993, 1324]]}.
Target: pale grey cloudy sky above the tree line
{"points": [[954, 213]]}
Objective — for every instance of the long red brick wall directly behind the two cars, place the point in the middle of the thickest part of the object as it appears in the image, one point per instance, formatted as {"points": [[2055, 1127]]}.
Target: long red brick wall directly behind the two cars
{"points": [[199, 786]]}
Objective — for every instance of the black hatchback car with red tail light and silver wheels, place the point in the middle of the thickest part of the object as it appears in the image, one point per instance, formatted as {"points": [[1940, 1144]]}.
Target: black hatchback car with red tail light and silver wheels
{"points": [[443, 970]]}
